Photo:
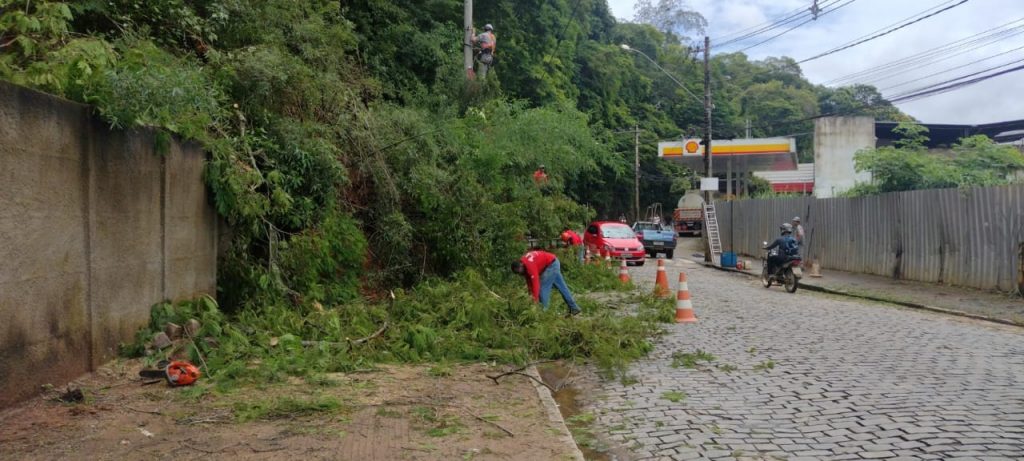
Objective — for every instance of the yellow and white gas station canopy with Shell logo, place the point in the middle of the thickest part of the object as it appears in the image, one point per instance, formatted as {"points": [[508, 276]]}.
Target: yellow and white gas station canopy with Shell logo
{"points": [[778, 154]]}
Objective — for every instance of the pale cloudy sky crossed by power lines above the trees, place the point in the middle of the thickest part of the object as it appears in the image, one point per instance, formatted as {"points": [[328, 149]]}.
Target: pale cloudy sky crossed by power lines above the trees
{"points": [[992, 101]]}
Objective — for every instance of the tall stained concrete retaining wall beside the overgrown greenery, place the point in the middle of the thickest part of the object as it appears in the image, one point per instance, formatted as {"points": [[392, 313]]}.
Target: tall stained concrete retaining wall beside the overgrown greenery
{"points": [[96, 227]]}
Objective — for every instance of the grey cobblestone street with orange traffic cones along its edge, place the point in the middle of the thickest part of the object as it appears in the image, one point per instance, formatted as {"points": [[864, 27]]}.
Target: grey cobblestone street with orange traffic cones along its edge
{"points": [[812, 376]]}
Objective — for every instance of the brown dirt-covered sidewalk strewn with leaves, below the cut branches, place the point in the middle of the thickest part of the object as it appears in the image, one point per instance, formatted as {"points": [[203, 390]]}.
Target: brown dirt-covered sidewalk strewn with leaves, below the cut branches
{"points": [[397, 413]]}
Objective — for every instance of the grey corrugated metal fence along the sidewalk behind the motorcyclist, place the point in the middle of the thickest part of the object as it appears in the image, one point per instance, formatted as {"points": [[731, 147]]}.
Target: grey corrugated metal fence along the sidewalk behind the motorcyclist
{"points": [[971, 238]]}
